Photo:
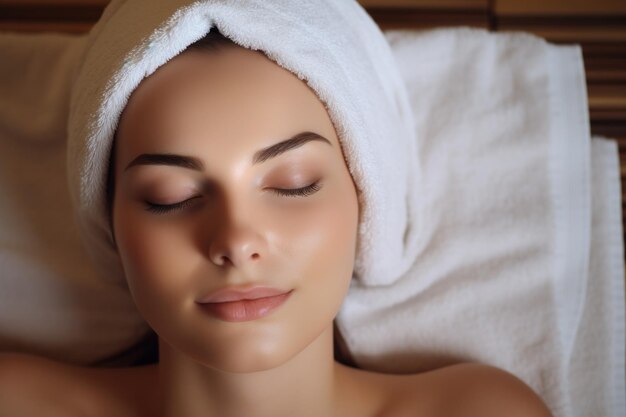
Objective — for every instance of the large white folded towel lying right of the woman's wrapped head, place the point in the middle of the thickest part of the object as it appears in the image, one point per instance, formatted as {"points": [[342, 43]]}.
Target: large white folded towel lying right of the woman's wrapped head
{"points": [[503, 274]]}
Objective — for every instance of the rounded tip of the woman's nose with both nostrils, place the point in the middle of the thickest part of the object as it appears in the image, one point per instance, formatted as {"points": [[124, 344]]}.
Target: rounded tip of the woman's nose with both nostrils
{"points": [[236, 245]]}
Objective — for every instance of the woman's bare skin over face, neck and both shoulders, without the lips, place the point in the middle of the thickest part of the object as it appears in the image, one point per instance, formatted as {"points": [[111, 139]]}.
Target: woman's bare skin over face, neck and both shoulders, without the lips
{"points": [[198, 208]]}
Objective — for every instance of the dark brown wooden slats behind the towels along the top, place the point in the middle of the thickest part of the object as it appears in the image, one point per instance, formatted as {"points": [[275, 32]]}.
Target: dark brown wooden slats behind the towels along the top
{"points": [[599, 26]]}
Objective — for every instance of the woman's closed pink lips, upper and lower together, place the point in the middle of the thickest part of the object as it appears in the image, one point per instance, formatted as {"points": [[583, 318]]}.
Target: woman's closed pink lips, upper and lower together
{"points": [[243, 304]]}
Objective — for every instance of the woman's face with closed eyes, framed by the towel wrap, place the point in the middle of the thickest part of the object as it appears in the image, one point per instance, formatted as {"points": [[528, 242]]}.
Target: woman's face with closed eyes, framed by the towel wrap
{"points": [[220, 200]]}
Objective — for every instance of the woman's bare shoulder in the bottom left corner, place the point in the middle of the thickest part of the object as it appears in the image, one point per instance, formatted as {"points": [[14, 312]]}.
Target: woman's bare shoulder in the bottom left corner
{"points": [[35, 386]]}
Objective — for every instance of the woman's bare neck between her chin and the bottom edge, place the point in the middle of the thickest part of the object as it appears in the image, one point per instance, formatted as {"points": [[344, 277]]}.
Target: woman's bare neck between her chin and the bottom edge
{"points": [[302, 386]]}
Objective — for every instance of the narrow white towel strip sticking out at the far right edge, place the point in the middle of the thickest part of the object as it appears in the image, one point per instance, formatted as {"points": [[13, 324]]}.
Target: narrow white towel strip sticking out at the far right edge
{"points": [[596, 368]]}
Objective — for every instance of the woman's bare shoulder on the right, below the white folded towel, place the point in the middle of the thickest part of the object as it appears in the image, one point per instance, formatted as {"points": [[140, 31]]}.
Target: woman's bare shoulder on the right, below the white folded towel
{"points": [[468, 389]]}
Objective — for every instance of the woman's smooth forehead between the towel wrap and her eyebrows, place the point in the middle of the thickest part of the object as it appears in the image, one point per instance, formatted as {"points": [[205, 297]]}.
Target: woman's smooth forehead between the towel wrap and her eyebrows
{"points": [[233, 94]]}
